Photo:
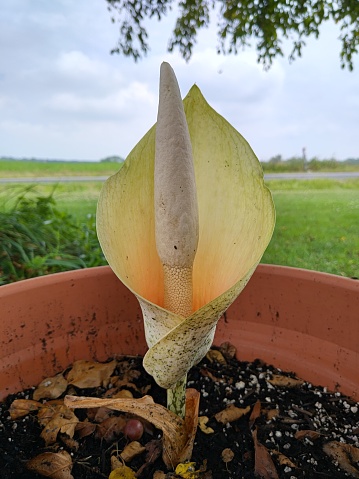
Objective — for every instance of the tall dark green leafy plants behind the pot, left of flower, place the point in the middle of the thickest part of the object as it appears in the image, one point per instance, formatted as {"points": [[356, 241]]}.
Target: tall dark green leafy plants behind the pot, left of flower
{"points": [[37, 239]]}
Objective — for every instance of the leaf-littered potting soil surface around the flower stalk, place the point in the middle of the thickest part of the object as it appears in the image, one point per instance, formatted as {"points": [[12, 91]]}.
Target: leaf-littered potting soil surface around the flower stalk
{"points": [[258, 422]]}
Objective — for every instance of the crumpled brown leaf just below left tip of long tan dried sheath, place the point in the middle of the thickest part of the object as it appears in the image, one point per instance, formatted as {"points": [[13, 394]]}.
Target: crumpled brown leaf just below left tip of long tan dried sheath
{"points": [[56, 419]]}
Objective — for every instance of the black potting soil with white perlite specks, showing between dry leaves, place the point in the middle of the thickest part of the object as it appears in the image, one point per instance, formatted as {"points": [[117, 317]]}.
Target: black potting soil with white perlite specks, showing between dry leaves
{"points": [[276, 413]]}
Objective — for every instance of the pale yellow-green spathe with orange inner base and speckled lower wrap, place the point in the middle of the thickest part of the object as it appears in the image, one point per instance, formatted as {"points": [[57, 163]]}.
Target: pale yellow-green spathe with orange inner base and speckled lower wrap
{"points": [[236, 221]]}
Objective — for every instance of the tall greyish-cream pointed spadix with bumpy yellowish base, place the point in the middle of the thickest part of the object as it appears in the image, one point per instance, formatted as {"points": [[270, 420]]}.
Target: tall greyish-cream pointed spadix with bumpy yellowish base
{"points": [[176, 210]]}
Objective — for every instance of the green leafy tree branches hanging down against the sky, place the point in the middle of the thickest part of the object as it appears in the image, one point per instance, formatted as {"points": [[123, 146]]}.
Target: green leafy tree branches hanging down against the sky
{"points": [[265, 22]]}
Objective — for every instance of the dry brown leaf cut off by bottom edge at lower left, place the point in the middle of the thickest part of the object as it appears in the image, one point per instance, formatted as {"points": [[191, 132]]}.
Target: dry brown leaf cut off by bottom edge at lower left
{"points": [[56, 465]]}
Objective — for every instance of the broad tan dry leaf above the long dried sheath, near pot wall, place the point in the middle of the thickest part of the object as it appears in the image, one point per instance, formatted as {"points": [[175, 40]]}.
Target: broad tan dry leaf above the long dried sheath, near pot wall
{"points": [[90, 374]]}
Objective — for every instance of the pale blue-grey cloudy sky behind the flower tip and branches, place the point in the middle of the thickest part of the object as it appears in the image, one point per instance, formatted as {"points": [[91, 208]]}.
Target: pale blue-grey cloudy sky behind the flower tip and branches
{"points": [[62, 95]]}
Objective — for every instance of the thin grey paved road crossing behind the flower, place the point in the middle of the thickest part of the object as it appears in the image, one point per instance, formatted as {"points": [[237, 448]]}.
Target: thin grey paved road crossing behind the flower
{"points": [[269, 176]]}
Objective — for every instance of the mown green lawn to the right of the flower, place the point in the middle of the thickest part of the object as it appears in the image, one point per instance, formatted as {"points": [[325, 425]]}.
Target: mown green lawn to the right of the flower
{"points": [[316, 228]]}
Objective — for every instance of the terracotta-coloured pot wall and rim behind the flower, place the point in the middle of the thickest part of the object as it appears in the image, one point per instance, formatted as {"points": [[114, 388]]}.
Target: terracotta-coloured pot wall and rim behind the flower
{"points": [[297, 320]]}
